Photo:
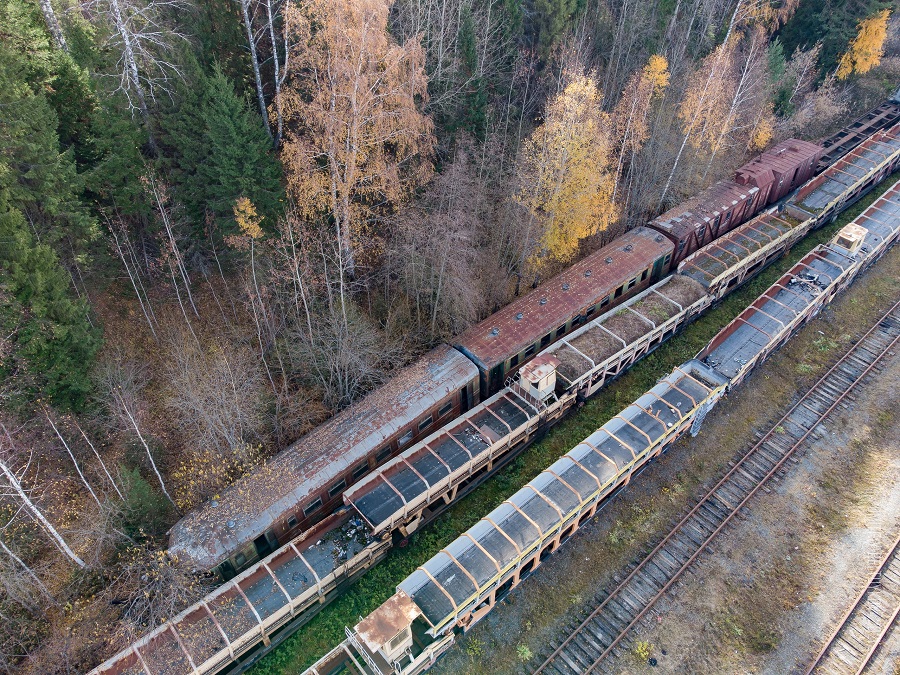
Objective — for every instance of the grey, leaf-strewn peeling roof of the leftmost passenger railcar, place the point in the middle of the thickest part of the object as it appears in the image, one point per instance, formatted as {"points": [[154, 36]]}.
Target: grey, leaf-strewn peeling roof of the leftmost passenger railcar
{"points": [[246, 509]]}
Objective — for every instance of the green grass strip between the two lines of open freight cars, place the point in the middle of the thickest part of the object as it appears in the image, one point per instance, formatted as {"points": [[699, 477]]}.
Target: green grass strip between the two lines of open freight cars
{"points": [[327, 629]]}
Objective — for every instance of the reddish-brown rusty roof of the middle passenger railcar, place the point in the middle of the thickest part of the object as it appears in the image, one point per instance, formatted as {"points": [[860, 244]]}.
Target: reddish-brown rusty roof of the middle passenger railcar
{"points": [[526, 320]]}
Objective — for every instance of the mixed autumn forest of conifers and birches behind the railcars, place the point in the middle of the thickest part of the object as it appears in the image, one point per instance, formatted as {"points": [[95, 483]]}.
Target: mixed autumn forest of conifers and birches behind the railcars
{"points": [[221, 221]]}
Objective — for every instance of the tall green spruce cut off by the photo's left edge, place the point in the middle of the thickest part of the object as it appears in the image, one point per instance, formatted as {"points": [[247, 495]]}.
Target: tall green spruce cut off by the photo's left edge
{"points": [[53, 338]]}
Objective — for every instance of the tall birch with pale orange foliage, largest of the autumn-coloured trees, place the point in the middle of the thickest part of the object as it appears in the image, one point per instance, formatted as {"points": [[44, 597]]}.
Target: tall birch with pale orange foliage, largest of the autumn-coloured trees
{"points": [[355, 137]]}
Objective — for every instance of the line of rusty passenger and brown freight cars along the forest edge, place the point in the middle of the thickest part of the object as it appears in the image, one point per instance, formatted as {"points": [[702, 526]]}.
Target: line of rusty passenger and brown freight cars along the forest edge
{"points": [[303, 484]]}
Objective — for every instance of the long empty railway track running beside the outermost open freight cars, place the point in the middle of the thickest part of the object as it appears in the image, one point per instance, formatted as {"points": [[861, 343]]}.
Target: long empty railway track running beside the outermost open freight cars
{"points": [[607, 629]]}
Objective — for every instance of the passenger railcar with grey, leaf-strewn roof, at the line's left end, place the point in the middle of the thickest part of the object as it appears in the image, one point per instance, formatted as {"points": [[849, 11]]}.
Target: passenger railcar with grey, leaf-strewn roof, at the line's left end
{"points": [[304, 483]]}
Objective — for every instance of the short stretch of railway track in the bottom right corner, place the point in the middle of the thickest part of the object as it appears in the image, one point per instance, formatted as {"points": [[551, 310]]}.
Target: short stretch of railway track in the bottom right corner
{"points": [[853, 643]]}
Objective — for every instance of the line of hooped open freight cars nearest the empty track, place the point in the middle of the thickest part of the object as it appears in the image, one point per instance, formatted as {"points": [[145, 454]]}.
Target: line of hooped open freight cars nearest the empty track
{"points": [[464, 581]]}
